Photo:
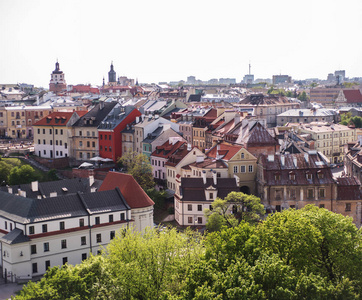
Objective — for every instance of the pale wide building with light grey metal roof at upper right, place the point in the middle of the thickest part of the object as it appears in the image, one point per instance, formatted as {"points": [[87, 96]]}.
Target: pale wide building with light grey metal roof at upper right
{"points": [[307, 116]]}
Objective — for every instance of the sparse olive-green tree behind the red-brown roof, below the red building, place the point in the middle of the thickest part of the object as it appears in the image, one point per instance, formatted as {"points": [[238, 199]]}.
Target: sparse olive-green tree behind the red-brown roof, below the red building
{"points": [[139, 167]]}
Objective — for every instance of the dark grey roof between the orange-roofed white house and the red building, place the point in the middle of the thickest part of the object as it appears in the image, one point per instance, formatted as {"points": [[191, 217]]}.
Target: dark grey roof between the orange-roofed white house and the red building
{"points": [[96, 114]]}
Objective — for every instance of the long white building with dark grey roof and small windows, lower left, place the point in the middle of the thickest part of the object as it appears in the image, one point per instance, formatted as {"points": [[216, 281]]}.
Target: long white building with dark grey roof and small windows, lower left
{"points": [[40, 233]]}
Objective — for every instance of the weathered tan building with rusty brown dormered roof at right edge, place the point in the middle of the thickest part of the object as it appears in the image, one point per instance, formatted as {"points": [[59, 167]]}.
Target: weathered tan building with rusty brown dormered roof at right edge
{"points": [[295, 180]]}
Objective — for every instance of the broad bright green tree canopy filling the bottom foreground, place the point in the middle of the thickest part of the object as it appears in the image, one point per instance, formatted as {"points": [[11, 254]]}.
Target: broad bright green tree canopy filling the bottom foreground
{"points": [[309, 253]]}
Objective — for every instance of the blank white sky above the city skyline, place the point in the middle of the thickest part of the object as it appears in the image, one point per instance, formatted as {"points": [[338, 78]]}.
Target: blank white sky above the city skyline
{"points": [[157, 41]]}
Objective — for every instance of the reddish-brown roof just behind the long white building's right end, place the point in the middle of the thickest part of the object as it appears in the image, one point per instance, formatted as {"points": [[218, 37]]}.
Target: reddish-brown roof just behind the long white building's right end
{"points": [[133, 193]]}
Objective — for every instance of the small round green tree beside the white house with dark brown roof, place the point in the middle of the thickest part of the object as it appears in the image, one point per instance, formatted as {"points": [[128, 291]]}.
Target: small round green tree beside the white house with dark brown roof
{"points": [[235, 208]]}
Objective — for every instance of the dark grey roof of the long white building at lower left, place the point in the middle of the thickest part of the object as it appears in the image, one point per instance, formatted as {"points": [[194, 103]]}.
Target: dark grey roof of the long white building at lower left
{"points": [[25, 210]]}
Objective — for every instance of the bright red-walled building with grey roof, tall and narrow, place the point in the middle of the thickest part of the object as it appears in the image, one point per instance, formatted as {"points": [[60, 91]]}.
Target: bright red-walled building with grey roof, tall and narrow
{"points": [[110, 131]]}
